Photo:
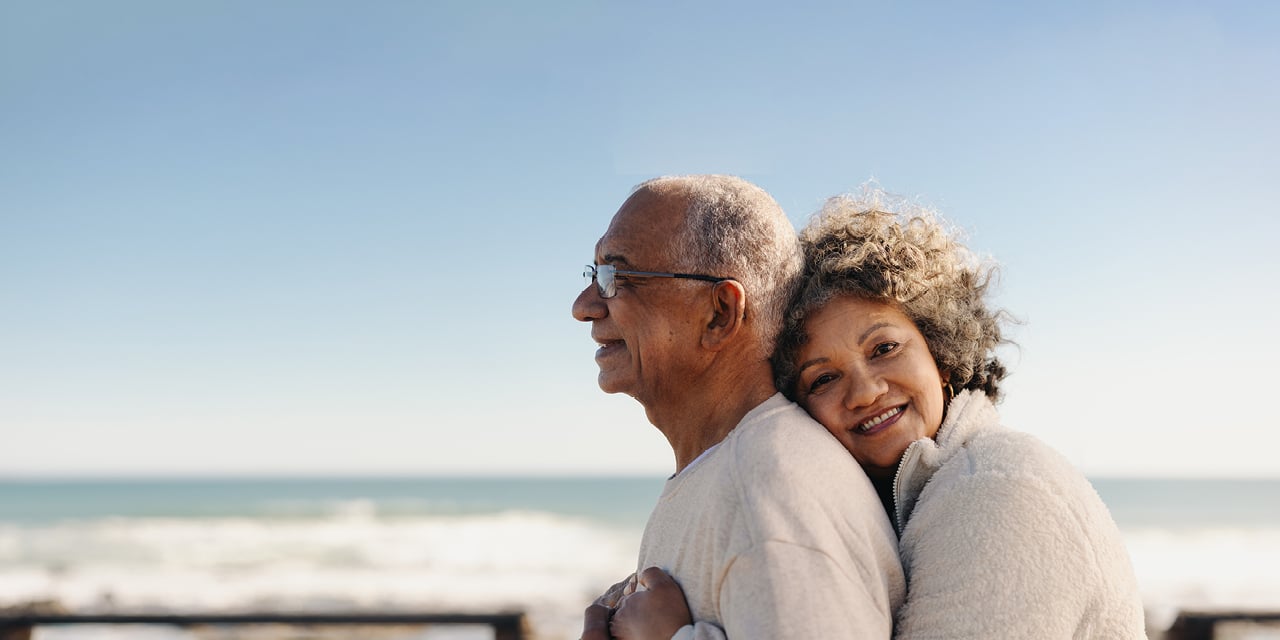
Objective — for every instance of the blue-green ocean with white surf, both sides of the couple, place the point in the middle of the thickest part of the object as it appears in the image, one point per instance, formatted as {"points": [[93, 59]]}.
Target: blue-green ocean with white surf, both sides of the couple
{"points": [[547, 546]]}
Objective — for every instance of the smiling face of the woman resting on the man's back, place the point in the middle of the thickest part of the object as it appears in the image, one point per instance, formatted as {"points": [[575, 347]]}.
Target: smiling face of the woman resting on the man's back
{"points": [[868, 377]]}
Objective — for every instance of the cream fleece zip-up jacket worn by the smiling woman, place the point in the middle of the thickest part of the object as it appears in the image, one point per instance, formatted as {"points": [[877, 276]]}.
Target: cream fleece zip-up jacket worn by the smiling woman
{"points": [[1002, 538]]}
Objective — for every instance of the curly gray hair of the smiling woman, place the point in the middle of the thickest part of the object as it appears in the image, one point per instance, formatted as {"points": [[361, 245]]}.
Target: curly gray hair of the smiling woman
{"points": [[885, 249]]}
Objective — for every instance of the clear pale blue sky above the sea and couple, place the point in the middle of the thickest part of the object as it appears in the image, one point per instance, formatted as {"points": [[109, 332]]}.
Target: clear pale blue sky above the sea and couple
{"points": [[324, 237]]}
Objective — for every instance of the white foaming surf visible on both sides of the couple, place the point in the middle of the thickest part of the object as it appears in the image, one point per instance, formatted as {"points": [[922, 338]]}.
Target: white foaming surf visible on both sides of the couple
{"points": [[362, 557]]}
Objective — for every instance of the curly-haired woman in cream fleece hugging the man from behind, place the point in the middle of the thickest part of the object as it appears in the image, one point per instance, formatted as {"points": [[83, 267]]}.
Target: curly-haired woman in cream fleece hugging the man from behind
{"points": [[892, 346]]}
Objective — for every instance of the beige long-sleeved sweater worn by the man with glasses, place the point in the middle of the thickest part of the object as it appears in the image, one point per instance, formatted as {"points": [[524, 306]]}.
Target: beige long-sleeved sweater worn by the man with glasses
{"points": [[778, 533]]}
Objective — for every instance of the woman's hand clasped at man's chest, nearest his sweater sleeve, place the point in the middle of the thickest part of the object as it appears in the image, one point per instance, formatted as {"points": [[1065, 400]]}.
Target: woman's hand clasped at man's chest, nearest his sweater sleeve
{"points": [[656, 611]]}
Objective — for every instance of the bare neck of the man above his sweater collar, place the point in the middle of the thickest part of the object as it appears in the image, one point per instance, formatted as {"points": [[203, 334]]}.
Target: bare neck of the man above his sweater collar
{"points": [[702, 420]]}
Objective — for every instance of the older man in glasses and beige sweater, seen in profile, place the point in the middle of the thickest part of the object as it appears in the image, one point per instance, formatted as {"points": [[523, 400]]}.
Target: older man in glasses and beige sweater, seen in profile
{"points": [[769, 525]]}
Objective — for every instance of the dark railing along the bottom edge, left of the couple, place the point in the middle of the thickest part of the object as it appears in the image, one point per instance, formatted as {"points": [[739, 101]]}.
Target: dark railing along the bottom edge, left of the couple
{"points": [[506, 627]]}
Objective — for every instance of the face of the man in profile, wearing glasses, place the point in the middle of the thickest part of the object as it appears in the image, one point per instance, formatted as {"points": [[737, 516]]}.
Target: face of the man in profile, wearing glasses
{"points": [[651, 331]]}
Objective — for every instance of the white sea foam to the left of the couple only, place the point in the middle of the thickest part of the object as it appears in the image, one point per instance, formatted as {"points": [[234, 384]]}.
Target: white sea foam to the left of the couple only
{"points": [[550, 566]]}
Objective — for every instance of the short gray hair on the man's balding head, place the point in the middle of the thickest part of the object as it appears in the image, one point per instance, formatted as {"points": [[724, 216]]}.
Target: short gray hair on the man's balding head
{"points": [[735, 230]]}
